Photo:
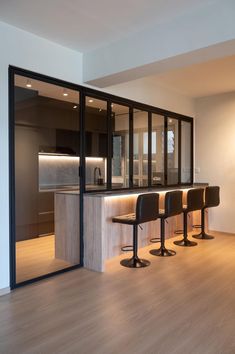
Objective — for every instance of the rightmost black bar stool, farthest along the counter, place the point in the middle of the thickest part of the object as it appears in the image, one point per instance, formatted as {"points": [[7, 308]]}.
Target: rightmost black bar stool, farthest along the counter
{"points": [[212, 199]]}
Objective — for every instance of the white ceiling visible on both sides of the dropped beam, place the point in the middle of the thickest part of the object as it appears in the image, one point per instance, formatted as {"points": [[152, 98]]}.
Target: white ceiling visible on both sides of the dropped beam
{"points": [[85, 25]]}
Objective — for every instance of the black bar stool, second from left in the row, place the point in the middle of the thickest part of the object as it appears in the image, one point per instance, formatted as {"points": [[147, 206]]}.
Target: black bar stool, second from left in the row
{"points": [[173, 206]]}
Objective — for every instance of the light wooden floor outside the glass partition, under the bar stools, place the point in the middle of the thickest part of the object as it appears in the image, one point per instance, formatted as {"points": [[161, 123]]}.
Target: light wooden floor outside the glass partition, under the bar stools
{"points": [[179, 305]]}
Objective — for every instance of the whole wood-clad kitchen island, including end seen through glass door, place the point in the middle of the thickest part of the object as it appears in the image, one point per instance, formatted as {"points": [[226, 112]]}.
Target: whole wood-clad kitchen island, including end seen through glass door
{"points": [[103, 239]]}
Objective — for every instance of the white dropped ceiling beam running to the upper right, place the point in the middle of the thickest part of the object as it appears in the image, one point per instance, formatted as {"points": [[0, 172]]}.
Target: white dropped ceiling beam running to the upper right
{"points": [[194, 37]]}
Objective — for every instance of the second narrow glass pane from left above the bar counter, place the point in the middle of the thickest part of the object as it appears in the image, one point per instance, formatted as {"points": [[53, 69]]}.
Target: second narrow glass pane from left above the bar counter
{"points": [[120, 143]]}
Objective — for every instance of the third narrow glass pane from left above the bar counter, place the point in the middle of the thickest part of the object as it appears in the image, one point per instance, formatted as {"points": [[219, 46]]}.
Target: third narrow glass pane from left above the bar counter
{"points": [[140, 148]]}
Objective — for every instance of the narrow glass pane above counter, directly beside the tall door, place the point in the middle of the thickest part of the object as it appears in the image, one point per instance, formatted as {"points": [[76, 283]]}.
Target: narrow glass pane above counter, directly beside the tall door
{"points": [[96, 146]]}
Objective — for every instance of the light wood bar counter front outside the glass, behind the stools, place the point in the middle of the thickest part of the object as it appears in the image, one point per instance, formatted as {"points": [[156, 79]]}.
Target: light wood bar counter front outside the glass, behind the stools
{"points": [[103, 239]]}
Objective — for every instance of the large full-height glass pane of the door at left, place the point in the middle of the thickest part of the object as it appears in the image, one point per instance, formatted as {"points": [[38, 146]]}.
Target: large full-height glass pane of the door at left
{"points": [[46, 167]]}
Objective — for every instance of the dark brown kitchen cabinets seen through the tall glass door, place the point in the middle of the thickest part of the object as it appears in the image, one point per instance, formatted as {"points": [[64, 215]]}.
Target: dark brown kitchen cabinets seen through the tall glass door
{"points": [[41, 124]]}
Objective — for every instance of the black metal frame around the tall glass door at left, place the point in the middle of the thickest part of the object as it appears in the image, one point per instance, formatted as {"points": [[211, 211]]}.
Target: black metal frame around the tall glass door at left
{"points": [[12, 222]]}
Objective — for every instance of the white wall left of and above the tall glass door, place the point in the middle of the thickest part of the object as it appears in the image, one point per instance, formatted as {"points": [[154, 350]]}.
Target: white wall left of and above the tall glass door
{"points": [[27, 51]]}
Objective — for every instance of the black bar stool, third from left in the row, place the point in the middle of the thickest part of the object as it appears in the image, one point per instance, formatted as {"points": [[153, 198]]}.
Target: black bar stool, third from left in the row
{"points": [[194, 202]]}
